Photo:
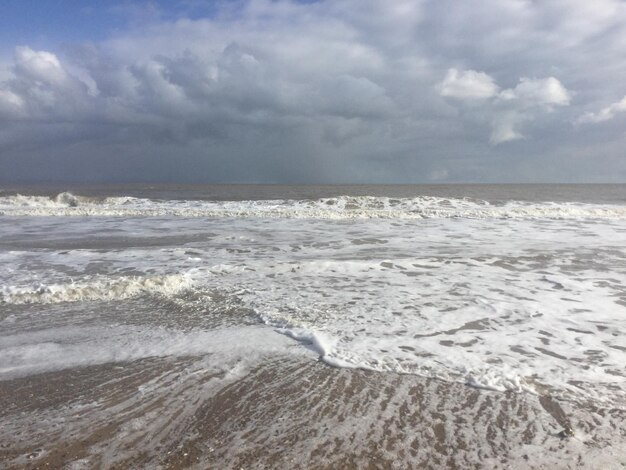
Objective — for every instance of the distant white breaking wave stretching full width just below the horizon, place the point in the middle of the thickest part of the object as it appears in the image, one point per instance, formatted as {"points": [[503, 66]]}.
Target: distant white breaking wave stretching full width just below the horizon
{"points": [[341, 207]]}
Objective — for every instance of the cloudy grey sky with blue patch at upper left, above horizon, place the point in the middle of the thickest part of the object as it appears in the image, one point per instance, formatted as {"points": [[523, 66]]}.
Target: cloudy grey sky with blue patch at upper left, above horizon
{"points": [[329, 91]]}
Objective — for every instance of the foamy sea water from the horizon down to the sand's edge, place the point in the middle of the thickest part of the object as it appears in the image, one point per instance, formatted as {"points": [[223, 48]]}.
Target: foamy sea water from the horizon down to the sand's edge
{"points": [[519, 287]]}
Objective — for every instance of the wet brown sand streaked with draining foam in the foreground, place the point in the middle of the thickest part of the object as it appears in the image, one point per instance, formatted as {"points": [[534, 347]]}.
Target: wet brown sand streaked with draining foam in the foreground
{"points": [[289, 413]]}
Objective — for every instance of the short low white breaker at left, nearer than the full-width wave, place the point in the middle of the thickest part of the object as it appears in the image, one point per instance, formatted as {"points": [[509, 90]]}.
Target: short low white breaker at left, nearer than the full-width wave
{"points": [[99, 288]]}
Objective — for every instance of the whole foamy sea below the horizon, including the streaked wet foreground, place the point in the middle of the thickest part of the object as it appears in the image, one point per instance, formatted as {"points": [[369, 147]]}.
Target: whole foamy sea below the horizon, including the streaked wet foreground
{"points": [[247, 326]]}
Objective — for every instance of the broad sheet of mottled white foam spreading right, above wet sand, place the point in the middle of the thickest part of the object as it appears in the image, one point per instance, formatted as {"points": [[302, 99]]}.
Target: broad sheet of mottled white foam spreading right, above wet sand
{"points": [[455, 321]]}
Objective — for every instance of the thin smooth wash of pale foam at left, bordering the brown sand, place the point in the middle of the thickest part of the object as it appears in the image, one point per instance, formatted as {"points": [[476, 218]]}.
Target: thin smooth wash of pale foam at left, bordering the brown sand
{"points": [[61, 348]]}
